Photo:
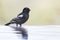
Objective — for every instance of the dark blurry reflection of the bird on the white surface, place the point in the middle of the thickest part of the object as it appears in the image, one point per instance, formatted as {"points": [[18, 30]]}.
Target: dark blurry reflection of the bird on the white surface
{"points": [[22, 31]]}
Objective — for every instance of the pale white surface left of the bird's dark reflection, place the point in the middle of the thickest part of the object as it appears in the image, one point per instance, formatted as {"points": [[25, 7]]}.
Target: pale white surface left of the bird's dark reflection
{"points": [[7, 33]]}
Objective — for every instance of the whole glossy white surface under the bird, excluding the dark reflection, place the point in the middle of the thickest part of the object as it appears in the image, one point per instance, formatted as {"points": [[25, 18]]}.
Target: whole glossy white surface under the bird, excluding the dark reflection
{"points": [[35, 33]]}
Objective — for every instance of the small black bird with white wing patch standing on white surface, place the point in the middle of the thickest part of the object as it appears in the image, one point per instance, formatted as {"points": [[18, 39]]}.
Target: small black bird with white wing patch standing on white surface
{"points": [[21, 17]]}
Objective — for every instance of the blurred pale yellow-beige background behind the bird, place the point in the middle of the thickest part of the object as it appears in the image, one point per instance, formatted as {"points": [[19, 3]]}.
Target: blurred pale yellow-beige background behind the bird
{"points": [[43, 12]]}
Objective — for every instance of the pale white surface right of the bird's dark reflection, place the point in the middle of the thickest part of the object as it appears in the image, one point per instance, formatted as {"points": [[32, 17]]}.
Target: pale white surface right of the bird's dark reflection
{"points": [[44, 33]]}
